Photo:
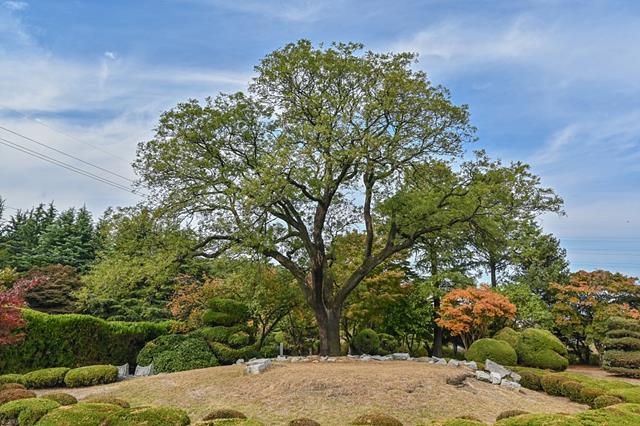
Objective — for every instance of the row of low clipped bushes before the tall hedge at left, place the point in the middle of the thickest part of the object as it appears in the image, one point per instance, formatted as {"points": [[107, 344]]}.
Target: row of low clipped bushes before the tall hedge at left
{"points": [[59, 377]]}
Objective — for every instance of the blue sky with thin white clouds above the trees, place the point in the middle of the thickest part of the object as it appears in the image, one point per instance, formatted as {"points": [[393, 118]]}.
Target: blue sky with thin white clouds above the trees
{"points": [[554, 83]]}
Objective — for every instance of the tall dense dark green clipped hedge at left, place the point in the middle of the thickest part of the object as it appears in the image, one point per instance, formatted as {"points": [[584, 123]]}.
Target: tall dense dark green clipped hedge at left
{"points": [[75, 340]]}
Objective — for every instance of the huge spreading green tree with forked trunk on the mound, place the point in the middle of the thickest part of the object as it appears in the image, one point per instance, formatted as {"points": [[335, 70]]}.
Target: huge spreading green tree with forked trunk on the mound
{"points": [[325, 141]]}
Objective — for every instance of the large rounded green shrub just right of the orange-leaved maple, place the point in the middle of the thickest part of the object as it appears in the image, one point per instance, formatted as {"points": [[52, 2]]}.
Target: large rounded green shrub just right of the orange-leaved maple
{"points": [[541, 349]]}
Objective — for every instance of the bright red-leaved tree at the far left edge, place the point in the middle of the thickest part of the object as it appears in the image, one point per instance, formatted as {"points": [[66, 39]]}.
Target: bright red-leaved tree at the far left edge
{"points": [[11, 304]]}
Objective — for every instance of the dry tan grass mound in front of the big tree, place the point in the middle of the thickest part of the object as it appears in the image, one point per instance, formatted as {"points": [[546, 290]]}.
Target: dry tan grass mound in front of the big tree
{"points": [[331, 393]]}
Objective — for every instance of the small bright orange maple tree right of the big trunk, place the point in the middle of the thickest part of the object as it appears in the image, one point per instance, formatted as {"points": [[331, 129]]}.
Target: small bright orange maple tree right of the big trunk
{"points": [[469, 312]]}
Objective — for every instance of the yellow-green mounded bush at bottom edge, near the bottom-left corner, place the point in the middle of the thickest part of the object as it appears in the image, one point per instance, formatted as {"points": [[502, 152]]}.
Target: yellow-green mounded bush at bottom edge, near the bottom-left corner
{"points": [[81, 414]]}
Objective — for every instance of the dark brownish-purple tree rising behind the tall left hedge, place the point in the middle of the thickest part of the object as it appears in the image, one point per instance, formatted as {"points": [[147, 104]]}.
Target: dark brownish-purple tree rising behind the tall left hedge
{"points": [[56, 293]]}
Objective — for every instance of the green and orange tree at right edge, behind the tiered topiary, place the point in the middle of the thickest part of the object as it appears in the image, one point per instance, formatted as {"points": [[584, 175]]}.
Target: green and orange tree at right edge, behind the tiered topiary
{"points": [[578, 303]]}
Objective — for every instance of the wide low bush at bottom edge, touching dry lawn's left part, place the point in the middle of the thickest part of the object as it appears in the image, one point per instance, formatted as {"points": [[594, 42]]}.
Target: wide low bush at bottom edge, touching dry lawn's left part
{"points": [[149, 416]]}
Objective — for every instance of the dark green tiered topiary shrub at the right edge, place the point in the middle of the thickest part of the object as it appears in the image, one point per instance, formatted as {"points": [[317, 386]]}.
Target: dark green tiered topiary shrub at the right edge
{"points": [[622, 347]]}
